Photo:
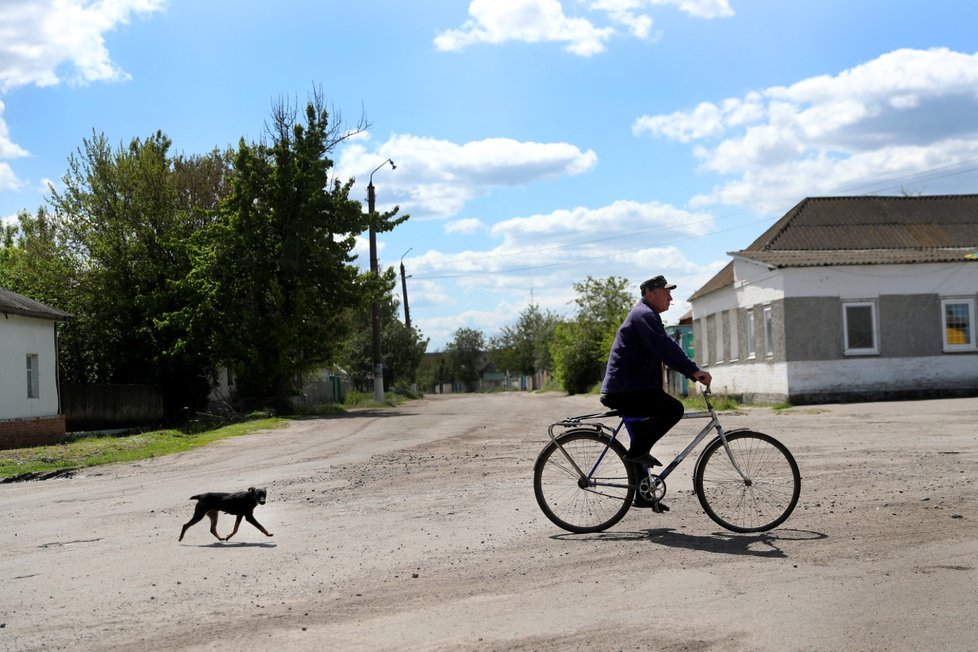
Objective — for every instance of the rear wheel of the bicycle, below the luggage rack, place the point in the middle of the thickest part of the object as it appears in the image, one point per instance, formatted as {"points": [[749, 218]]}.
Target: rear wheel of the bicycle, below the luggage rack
{"points": [[579, 504]]}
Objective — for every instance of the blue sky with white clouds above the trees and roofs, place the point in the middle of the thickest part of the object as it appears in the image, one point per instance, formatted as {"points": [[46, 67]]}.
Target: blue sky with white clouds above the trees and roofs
{"points": [[537, 141]]}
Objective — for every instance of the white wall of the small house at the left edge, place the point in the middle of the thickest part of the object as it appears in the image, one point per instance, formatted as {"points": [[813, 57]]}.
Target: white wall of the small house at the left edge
{"points": [[20, 336]]}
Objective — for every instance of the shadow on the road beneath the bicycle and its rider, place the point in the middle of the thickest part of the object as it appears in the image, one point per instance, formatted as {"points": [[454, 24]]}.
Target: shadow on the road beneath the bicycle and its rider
{"points": [[764, 544]]}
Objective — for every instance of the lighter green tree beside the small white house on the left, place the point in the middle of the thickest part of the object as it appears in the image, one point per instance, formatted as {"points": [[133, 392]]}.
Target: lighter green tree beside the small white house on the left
{"points": [[121, 222]]}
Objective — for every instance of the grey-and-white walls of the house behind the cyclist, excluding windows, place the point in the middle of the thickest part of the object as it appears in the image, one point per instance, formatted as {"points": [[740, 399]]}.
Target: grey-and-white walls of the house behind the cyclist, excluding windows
{"points": [[809, 363]]}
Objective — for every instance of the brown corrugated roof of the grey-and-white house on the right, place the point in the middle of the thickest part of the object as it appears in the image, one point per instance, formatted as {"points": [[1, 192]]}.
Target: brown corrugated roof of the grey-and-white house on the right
{"points": [[866, 230]]}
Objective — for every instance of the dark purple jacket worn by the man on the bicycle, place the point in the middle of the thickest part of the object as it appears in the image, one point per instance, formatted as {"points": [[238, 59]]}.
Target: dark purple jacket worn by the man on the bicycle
{"points": [[641, 347]]}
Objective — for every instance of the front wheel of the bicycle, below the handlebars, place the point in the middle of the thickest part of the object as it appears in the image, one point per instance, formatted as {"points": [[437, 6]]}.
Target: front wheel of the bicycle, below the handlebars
{"points": [[759, 500]]}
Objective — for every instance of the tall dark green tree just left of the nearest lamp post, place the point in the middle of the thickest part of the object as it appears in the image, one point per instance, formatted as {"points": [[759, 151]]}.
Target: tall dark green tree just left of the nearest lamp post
{"points": [[277, 267]]}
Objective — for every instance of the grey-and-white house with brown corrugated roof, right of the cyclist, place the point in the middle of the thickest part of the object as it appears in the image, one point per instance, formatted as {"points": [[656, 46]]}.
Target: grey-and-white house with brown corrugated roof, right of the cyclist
{"points": [[848, 298]]}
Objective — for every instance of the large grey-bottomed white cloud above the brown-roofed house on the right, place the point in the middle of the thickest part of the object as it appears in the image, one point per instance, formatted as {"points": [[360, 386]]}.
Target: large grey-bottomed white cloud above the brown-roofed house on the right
{"points": [[884, 119]]}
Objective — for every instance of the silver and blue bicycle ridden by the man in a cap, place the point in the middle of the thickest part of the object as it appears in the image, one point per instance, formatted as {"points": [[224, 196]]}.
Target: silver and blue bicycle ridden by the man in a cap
{"points": [[746, 481]]}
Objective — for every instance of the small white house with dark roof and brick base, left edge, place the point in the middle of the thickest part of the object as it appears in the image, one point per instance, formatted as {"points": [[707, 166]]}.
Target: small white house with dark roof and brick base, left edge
{"points": [[30, 407]]}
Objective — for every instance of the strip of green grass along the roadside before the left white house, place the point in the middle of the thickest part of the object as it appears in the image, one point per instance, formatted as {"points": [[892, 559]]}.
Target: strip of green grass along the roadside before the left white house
{"points": [[93, 451]]}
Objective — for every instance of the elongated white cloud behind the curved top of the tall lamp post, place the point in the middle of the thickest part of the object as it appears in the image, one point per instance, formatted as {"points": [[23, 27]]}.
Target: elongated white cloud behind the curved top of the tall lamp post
{"points": [[435, 178]]}
